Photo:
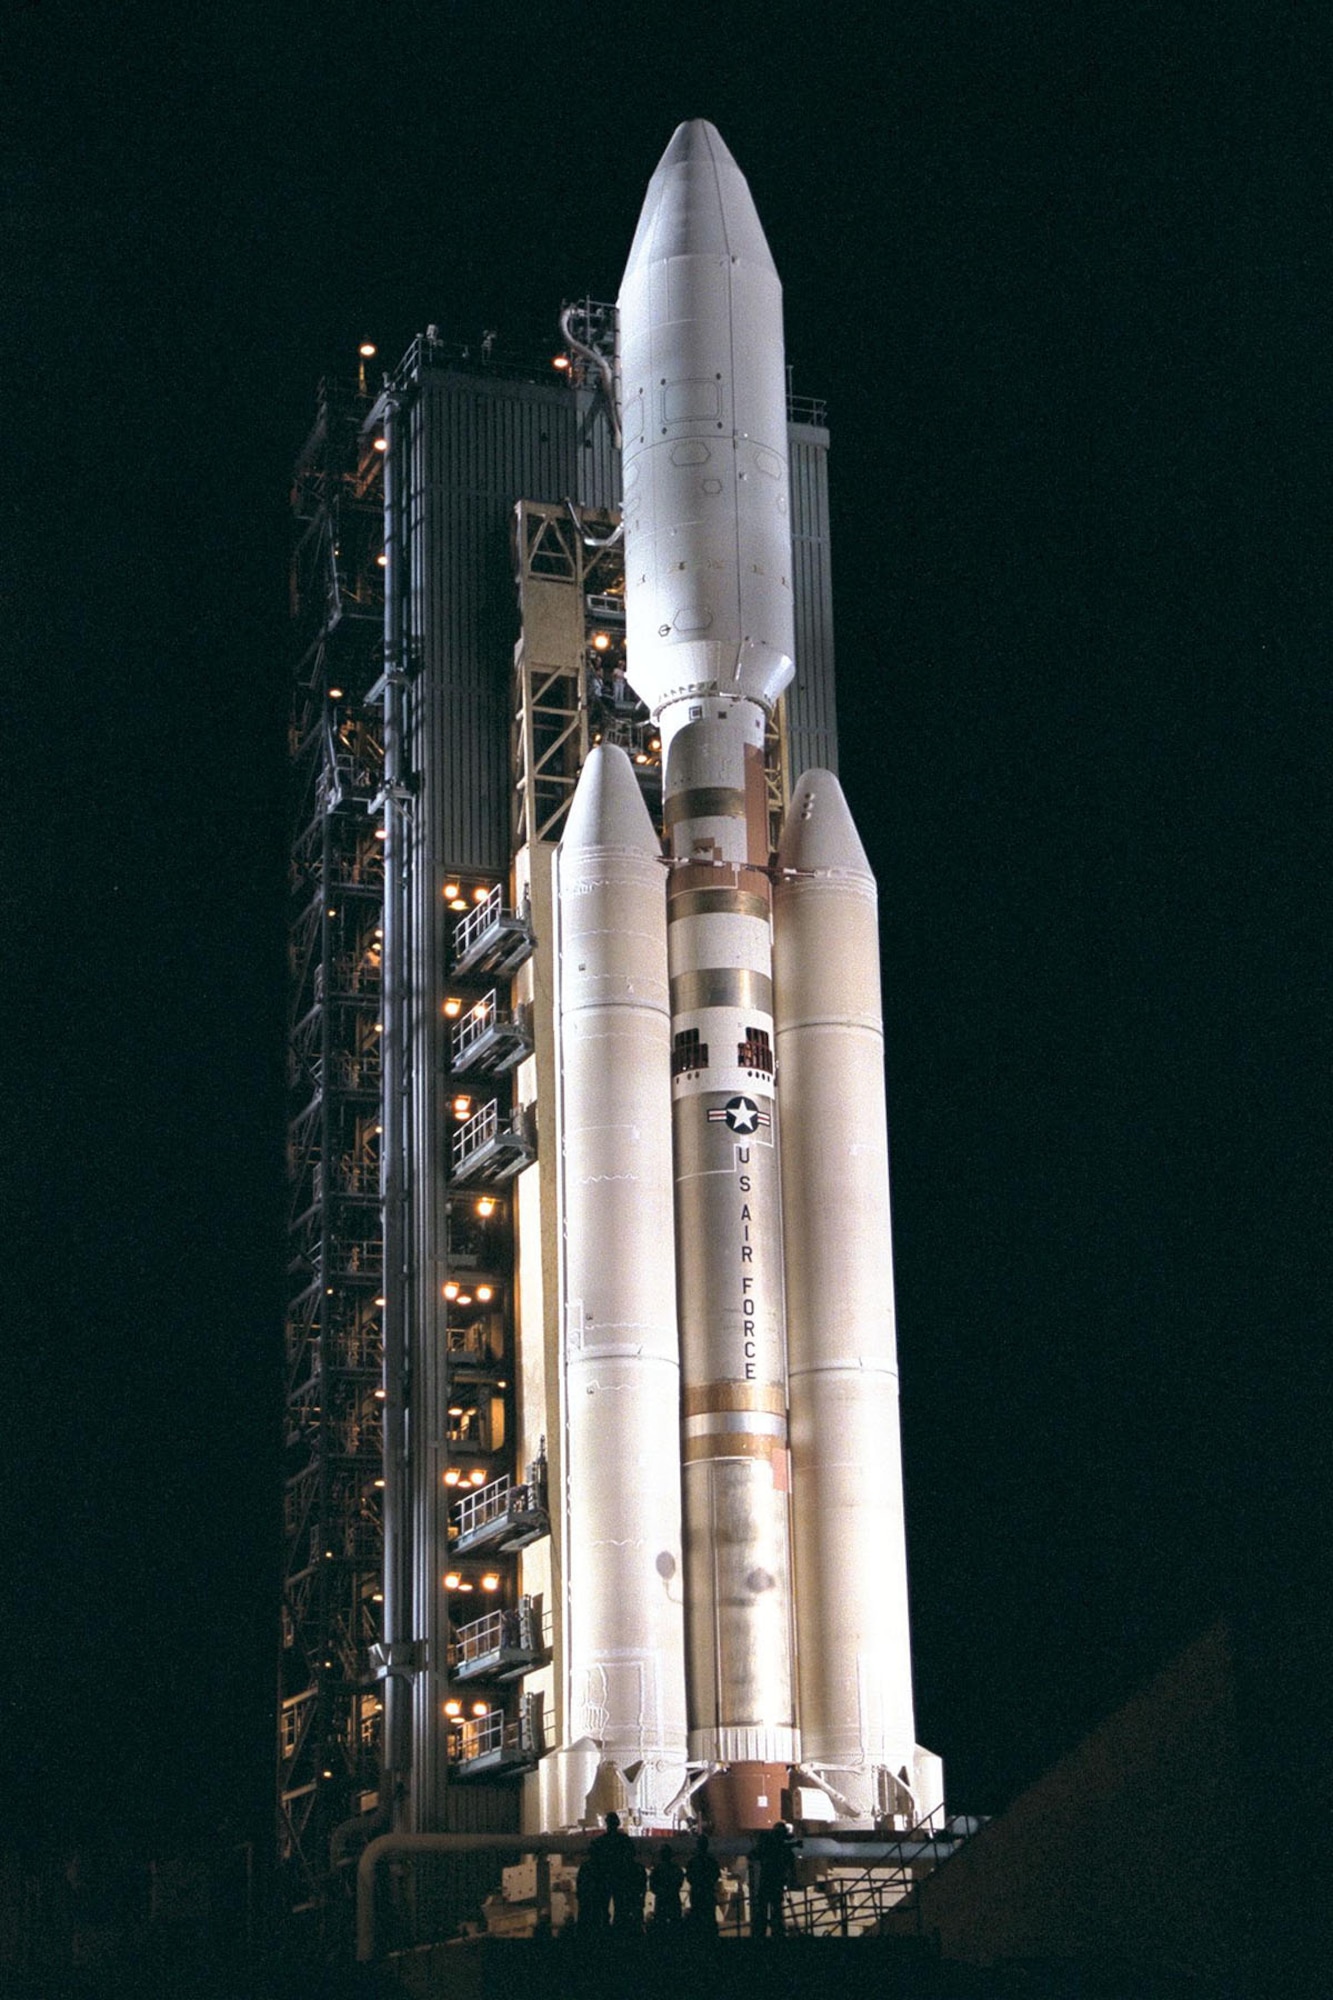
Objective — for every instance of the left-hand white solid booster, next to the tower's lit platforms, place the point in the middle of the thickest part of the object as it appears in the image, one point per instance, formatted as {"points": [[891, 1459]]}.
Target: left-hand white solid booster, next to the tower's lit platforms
{"points": [[621, 1375]]}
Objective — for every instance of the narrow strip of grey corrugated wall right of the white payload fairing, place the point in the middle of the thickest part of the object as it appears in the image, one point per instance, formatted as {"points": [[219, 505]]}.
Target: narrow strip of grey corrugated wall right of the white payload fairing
{"points": [[812, 713]]}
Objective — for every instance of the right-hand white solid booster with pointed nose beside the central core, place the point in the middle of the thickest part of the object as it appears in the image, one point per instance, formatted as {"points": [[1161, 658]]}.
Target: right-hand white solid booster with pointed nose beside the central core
{"points": [[848, 1483]]}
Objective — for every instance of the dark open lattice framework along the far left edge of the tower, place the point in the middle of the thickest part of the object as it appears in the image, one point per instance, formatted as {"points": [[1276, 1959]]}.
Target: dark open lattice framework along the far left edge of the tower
{"points": [[329, 1707]]}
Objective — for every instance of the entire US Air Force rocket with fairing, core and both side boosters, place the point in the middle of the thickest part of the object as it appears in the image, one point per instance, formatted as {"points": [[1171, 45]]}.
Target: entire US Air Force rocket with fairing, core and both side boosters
{"points": [[756, 1083]]}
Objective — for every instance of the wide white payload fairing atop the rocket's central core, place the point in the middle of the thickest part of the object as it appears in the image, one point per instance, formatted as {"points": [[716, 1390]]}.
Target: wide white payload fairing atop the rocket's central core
{"points": [[704, 407]]}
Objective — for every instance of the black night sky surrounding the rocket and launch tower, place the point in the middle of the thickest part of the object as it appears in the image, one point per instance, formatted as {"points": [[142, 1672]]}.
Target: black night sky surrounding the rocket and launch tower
{"points": [[1062, 277]]}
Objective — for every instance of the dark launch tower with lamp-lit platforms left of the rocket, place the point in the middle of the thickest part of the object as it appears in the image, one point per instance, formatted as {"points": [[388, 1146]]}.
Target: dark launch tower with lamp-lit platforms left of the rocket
{"points": [[421, 1583]]}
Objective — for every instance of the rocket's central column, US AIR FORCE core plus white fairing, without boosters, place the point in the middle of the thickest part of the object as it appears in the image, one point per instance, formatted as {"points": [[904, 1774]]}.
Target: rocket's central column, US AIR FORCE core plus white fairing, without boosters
{"points": [[710, 621]]}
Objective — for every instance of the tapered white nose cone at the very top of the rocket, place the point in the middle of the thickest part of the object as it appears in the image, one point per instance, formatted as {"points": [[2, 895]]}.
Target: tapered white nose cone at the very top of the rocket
{"points": [[700, 205]]}
